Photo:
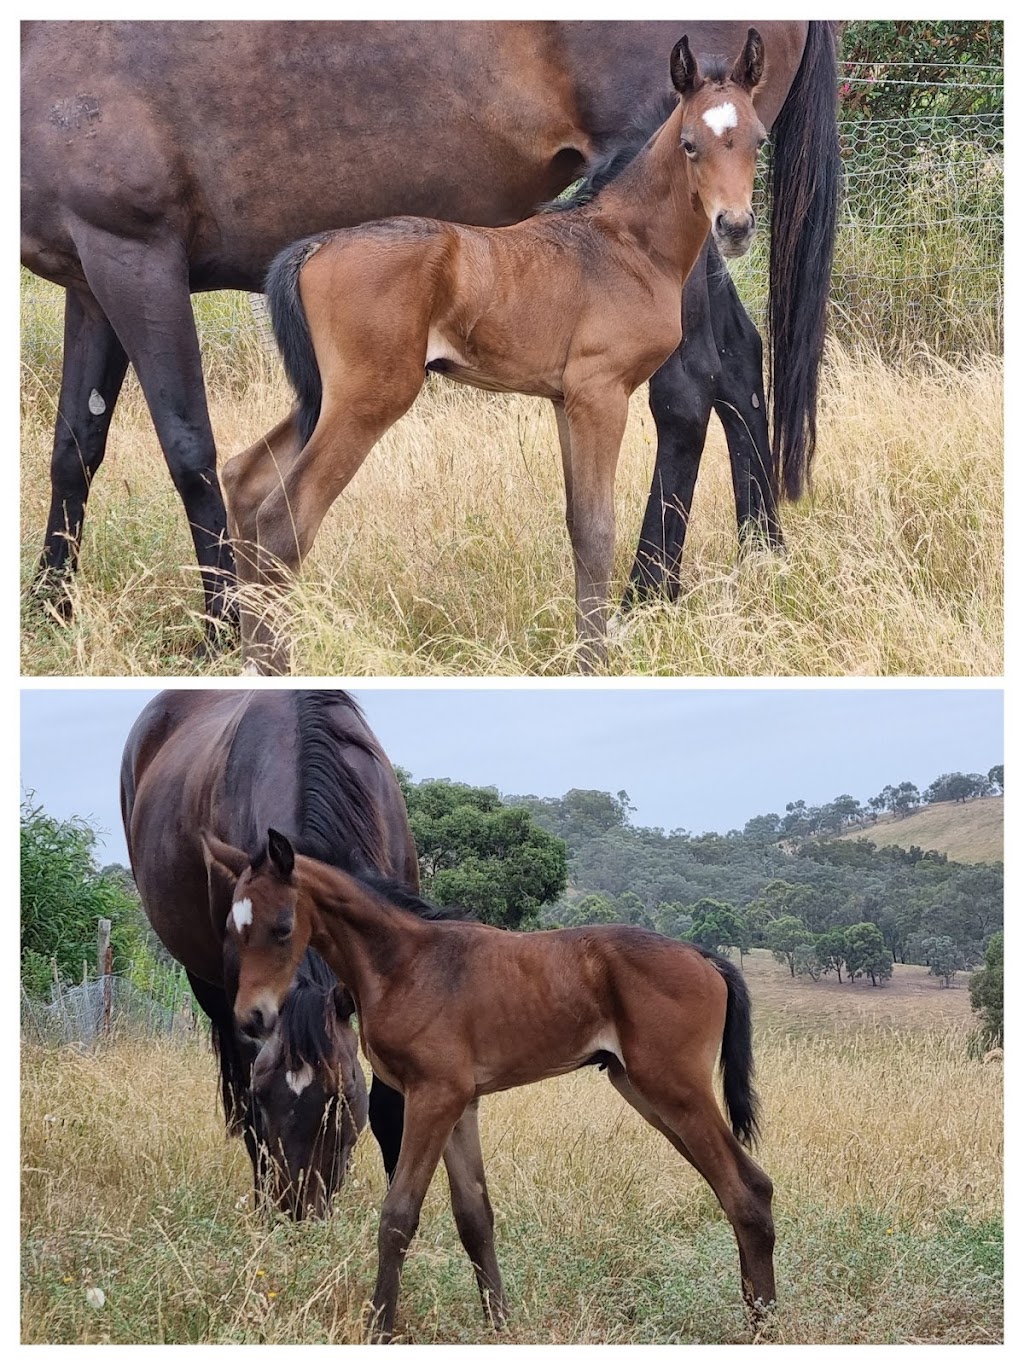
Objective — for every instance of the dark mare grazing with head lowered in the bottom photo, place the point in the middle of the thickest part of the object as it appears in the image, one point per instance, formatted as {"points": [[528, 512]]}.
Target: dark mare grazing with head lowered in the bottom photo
{"points": [[231, 762]]}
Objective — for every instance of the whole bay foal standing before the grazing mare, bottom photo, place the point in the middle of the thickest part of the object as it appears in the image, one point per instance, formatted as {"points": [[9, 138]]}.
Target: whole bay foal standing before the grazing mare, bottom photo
{"points": [[451, 1011]]}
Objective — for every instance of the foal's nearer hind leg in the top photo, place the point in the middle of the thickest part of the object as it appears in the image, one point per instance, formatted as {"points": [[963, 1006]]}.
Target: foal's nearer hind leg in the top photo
{"points": [[358, 409]]}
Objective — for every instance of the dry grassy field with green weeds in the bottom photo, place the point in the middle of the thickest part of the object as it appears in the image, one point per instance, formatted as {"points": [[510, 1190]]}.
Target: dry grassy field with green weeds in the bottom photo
{"points": [[883, 1136]]}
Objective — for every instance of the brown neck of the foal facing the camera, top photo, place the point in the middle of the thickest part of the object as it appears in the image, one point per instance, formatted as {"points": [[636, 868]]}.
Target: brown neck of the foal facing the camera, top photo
{"points": [[653, 200]]}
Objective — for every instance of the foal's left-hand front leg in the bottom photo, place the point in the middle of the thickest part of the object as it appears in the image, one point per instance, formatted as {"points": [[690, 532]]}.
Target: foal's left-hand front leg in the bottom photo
{"points": [[432, 1113]]}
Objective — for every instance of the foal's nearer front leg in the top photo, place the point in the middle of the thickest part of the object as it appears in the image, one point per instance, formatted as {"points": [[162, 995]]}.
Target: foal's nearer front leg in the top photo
{"points": [[596, 416]]}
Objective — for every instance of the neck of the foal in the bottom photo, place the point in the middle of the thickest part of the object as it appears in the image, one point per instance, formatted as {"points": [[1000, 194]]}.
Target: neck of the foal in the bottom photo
{"points": [[361, 940]]}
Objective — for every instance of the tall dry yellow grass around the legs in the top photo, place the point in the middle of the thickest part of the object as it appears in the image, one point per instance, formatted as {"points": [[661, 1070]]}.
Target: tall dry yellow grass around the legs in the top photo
{"points": [[449, 552]]}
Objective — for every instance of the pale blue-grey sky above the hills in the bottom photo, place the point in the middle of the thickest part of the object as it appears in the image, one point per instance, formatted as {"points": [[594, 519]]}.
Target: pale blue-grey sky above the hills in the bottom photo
{"points": [[696, 760]]}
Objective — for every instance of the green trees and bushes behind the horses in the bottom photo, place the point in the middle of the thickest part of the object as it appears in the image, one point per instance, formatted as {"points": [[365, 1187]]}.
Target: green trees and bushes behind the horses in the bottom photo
{"points": [[824, 907]]}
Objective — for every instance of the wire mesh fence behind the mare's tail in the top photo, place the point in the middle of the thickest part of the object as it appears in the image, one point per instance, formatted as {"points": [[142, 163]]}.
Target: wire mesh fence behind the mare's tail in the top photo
{"points": [[920, 246]]}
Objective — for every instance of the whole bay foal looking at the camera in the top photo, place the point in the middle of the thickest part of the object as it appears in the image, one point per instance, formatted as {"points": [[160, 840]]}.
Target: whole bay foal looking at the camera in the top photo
{"points": [[580, 308]]}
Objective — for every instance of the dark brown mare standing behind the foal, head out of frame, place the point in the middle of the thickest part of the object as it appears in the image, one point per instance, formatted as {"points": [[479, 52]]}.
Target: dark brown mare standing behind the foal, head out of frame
{"points": [[160, 159]]}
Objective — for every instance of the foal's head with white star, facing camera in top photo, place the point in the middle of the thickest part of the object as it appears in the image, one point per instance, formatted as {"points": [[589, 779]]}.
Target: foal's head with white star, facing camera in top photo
{"points": [[720, 137]]}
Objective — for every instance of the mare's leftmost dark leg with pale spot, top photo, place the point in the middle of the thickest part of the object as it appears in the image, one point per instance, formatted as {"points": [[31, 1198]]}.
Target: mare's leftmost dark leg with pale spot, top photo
{"points": [[94, 372]]}
